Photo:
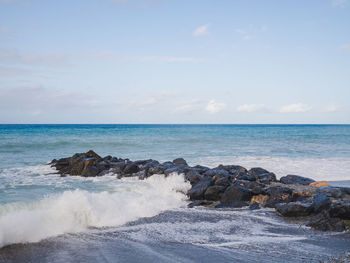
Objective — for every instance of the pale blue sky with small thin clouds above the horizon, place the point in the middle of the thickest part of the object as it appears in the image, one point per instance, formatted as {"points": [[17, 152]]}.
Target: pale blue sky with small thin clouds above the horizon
{"points": [[175, 61]]}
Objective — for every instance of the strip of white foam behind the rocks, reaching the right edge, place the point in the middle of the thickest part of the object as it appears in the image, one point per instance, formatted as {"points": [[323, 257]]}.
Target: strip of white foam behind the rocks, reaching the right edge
{"points": [[329, 169]]}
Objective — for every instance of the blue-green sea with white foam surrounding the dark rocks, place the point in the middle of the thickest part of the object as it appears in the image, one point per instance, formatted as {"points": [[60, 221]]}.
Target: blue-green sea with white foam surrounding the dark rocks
{"points": [[48, 218]]}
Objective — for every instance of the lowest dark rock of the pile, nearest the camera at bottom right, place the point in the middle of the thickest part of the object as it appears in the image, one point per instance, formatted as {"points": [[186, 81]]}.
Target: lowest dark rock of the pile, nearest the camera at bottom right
{"points": [[324, 222]]}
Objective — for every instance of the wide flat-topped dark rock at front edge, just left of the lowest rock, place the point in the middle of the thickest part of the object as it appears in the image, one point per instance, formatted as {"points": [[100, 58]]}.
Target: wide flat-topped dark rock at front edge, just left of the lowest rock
{"points": [[294, 209]]}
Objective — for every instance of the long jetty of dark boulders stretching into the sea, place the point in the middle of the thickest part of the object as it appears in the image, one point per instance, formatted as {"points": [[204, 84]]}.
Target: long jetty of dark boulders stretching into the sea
{"points": [[322, 206]]}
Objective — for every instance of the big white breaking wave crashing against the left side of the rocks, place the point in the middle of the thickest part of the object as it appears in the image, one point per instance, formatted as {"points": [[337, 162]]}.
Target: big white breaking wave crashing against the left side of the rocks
{"points": [[76, 211]]}
